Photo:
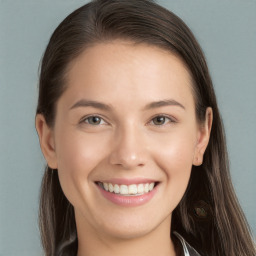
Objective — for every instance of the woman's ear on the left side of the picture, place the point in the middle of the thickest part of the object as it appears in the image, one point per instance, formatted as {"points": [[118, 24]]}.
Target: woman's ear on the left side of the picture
{"points": [[46, 138]]}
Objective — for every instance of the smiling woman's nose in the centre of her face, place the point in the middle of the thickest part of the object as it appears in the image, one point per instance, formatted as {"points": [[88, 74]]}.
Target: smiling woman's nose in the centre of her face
{"points": [[129, 150]]}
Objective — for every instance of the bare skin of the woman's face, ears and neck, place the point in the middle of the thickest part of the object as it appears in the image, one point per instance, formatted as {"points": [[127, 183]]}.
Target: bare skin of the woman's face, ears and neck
{"points": [[127, 143]]}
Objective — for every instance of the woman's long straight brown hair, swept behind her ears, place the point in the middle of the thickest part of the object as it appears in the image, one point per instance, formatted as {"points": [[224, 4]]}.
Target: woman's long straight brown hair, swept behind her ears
{"points": [[221, 229]]}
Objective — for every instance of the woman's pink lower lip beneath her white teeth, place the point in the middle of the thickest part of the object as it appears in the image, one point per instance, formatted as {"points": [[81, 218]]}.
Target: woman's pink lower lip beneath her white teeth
{"points": [[128, 200]]}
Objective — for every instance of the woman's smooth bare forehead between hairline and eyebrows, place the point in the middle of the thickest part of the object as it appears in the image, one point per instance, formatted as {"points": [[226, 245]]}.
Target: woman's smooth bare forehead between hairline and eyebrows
{"points": [[124, 71]]}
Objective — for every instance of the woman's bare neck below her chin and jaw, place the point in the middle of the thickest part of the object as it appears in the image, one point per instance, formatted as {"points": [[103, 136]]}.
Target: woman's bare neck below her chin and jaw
{"points": [[155, 242]]}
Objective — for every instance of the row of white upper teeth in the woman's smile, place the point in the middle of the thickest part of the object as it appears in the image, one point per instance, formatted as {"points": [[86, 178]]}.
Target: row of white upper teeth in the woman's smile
{"points": [[133, 189]]}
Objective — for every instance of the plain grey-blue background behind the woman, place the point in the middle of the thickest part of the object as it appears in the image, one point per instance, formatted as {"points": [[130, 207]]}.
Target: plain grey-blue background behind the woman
{"points": [[226, 31]]}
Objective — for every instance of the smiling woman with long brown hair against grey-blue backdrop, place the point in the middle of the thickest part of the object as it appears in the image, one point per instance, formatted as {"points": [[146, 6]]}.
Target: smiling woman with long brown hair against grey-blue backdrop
{"points": [[129, 126]]}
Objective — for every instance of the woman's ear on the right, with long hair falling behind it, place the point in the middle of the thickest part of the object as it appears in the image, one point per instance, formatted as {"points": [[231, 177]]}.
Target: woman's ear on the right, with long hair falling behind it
{"points": [[203, 137]]}
